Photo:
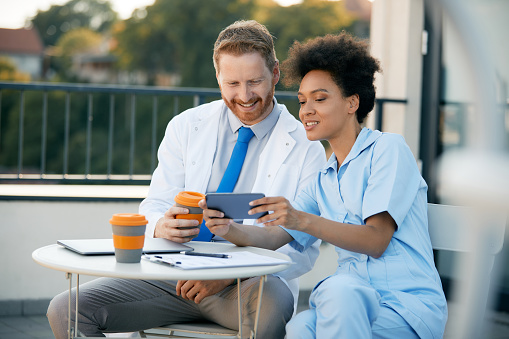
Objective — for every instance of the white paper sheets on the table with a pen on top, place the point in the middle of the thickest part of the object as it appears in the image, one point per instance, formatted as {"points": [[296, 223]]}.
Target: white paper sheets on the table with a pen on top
{"points": [[238, 259]]}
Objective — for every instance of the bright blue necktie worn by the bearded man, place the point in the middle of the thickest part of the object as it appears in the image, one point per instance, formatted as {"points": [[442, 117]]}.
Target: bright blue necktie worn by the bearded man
{"points": [[231, 175]]}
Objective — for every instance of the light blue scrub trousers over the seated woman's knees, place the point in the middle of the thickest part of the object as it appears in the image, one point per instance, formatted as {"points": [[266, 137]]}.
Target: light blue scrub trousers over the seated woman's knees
{"points": [[345, 306]]}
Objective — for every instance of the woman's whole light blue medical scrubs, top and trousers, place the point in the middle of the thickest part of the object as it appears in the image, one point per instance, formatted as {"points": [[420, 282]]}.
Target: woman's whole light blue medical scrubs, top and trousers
{"points": [[368, 297]]}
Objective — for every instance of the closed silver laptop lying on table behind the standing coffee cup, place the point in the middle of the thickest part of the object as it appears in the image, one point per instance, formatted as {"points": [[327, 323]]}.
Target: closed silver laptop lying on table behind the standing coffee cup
{"points": [[105, 246]]}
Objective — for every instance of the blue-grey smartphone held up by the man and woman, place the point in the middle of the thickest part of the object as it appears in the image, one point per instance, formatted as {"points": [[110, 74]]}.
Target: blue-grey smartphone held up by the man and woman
{"points": [[234, 205]]}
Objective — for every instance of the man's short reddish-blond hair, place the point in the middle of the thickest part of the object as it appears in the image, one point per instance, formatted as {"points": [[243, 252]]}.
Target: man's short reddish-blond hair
{"points": [[245, 36]]}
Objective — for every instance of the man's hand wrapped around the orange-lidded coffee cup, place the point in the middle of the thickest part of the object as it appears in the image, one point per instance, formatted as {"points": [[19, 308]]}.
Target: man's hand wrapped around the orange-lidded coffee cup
{"points": [[178, 230]]}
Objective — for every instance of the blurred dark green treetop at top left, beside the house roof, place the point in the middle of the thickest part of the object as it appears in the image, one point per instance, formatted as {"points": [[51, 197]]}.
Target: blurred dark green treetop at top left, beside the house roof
{"points": [[60, 19]]}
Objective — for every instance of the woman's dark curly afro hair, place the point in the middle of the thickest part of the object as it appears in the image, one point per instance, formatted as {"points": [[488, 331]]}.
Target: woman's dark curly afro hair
{"points": [[345, 58]]}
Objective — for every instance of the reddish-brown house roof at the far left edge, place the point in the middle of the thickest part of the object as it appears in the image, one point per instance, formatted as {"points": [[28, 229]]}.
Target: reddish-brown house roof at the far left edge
{"points": [[20, 41]]}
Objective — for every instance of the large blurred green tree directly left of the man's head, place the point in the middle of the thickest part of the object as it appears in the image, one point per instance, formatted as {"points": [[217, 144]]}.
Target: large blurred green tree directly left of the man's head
{"points": [[178, 36]]}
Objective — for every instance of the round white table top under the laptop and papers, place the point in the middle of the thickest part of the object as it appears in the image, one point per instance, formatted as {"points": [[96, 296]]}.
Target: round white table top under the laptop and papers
{"points": [[58, 258]]}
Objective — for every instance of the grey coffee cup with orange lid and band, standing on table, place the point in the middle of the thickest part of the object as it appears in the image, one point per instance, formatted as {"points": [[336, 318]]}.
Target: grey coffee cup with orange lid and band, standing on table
{"points": [[128, 236]]}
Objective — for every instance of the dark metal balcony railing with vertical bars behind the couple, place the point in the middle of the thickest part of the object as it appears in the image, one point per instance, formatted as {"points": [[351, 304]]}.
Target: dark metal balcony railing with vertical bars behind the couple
{"points": [[86, 143]]}
